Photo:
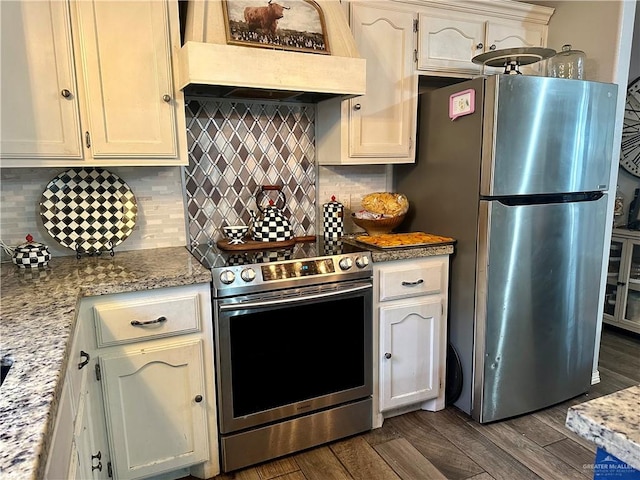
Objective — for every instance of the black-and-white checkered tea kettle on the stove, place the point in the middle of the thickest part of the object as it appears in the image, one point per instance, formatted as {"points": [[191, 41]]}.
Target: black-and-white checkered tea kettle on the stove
{"points": [[272, 225]]}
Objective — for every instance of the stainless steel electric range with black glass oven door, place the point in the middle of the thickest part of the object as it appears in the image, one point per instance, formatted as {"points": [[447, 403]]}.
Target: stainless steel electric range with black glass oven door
{"points": [[293, 341]]}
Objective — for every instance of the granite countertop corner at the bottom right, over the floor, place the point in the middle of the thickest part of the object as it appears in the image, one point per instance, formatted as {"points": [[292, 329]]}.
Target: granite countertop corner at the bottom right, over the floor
{"points": [[611, 422]]}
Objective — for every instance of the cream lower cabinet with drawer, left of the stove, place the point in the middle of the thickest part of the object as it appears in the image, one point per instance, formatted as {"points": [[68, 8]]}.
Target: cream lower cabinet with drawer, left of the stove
{"points": [[149, 405]]}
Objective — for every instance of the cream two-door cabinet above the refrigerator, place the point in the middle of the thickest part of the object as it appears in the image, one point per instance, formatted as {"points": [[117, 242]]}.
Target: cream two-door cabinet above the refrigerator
{"points": [[450, 34]]}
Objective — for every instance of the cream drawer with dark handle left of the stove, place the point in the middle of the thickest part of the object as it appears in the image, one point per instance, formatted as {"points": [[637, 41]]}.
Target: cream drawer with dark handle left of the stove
{"points": [[145, 317]]}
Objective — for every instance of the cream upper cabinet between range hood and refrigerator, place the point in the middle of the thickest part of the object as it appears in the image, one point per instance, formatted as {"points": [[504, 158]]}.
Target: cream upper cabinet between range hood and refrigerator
{"points": [[379, 127]]}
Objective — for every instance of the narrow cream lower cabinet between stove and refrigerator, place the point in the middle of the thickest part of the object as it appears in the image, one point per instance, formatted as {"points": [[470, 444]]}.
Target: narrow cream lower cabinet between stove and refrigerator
{"points": [[411, 319]]}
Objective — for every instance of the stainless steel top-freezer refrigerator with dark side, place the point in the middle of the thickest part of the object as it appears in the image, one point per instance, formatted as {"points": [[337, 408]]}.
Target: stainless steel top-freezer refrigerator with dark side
{"points": [[516, 168]]}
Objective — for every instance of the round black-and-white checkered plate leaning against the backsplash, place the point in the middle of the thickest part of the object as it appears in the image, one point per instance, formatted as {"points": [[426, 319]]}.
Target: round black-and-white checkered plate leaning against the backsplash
{"points": [[88, 210]]}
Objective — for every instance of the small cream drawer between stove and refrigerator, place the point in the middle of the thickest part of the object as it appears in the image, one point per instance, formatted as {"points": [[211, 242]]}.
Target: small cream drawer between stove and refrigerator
{"points": [[411, 279]]}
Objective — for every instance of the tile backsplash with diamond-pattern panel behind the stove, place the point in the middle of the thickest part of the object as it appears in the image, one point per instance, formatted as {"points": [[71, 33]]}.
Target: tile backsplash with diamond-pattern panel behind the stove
{"points": [[233, 149]]}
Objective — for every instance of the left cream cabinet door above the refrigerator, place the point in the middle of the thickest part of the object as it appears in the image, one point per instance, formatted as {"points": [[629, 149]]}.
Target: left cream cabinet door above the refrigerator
{"points": [[447, 43]]}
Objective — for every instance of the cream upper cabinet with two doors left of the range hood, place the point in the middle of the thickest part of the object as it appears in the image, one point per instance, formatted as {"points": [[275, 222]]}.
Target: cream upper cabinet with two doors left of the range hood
{"points": [[90, 82]]}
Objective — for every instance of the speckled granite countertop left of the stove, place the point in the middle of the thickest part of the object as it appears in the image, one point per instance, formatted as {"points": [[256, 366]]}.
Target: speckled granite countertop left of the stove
{"points": [[37, 318]]}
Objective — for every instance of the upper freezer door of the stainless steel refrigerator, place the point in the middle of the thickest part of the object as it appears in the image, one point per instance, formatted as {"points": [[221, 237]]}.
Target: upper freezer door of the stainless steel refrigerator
{"points": [[546, 135]]}
